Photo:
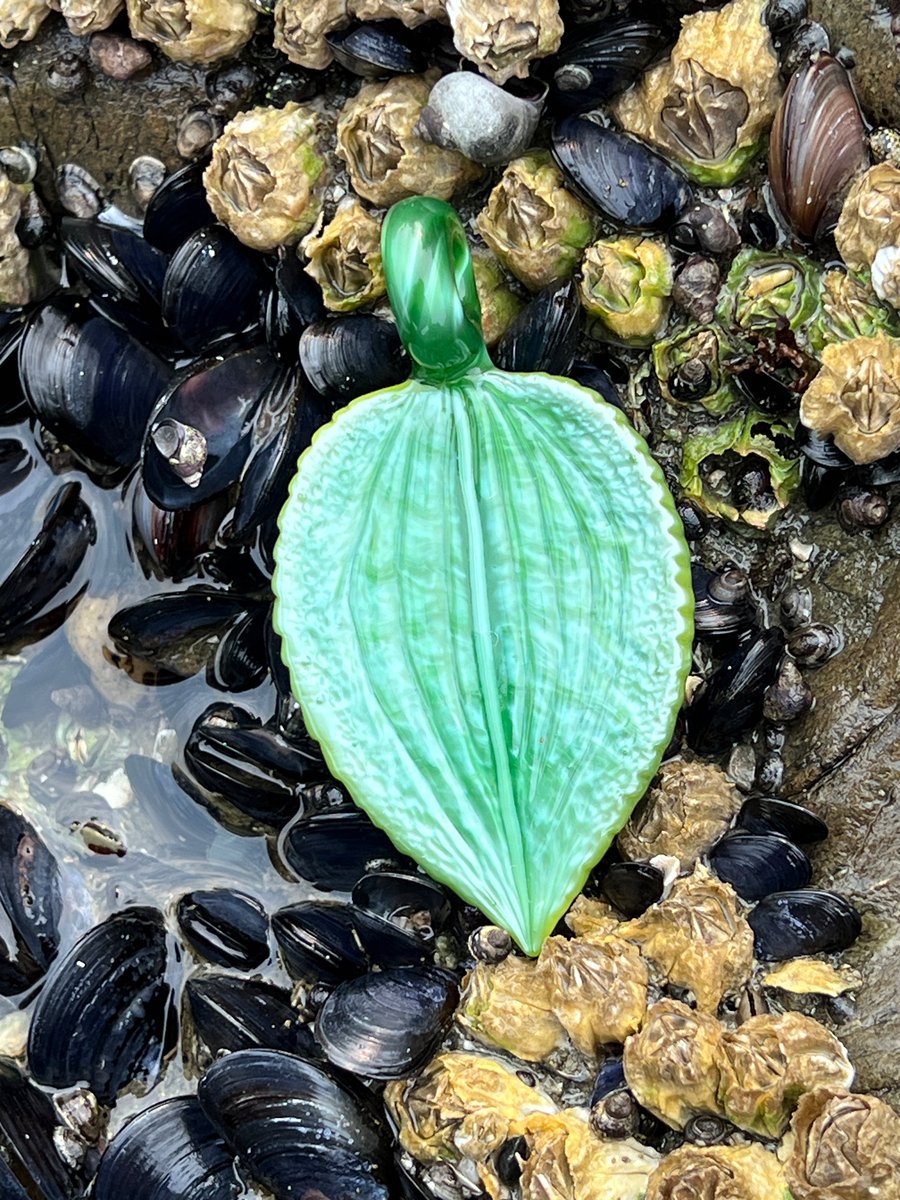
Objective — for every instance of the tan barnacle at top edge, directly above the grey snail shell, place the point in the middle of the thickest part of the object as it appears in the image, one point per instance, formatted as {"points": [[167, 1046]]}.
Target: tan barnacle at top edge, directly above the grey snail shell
{"points": [[503, 37]]}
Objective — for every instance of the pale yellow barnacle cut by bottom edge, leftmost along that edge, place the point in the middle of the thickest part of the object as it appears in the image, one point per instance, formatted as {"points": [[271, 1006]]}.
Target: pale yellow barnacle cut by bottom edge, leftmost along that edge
{"points": [[567, 1161]]}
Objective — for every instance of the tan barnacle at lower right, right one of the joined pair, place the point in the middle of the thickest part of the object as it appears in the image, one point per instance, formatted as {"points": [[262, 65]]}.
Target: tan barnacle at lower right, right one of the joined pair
{"points": [[769, 1063]]}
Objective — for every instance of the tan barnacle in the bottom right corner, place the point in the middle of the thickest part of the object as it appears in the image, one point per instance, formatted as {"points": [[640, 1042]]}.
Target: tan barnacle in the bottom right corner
{"points": [[843, 1148]]}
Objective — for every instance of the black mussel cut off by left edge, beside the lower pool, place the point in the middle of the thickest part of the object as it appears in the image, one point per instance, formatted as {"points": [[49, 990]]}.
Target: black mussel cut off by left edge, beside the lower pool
{"points": [[29, 890]]}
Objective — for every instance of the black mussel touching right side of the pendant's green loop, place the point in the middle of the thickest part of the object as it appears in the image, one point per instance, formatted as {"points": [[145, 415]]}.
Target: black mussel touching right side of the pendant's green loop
{"points": [[545, 334]]}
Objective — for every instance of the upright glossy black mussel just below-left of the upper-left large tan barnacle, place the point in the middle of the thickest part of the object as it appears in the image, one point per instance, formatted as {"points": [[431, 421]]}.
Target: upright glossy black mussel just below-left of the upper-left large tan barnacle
{"points": [[213, 289]]}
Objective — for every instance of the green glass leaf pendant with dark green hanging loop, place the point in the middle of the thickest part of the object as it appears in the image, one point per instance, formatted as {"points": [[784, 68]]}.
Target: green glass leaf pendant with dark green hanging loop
{"points": [[485, 603]]}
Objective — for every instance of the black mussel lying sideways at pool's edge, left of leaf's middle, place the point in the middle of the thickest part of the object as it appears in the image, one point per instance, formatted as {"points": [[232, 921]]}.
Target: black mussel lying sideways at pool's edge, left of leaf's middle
{"points": [[173, 637]]}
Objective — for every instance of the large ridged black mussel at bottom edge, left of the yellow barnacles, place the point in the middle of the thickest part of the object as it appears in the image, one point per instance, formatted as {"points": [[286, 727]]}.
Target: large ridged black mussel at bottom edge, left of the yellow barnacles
{"points": [[296, 1130]]}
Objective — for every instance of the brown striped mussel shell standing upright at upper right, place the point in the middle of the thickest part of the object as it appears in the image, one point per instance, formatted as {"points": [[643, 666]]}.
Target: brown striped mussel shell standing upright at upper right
{"points": [[817, 147]]}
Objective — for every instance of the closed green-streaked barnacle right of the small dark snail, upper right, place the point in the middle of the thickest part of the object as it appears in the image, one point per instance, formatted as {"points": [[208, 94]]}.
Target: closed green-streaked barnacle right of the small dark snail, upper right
{"points": [[766, 286]]}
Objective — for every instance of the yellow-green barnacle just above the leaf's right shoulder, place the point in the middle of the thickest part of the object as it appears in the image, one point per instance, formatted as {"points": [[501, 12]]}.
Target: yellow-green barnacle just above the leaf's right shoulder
{"points": [[626, 284]]}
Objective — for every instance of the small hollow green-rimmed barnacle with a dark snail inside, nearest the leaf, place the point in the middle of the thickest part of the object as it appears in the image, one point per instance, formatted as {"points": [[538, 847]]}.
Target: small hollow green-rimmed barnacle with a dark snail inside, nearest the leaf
{"points": [[689, 369]]}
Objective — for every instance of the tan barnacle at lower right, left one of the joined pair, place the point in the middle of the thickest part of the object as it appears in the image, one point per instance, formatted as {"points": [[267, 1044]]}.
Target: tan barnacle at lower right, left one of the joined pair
{"points": [[673, 1065]]}
